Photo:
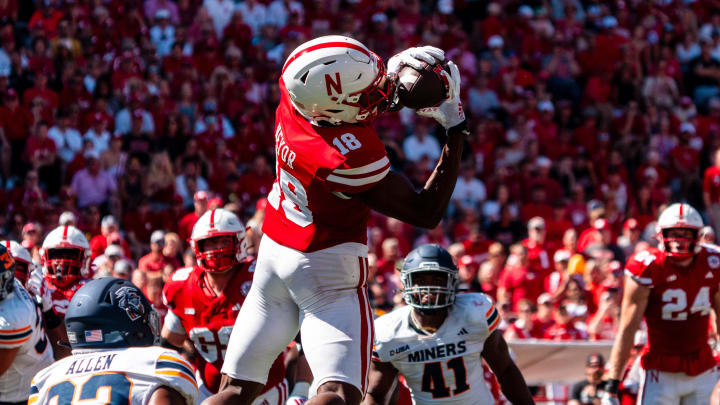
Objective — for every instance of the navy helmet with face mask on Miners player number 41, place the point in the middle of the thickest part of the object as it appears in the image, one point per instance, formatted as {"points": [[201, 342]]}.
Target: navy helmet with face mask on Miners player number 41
{"points": [[426, 259]]}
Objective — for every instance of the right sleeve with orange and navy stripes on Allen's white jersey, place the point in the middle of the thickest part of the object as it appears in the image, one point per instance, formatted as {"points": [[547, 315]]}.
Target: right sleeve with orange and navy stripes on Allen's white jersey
{"points": [[175, 372]]}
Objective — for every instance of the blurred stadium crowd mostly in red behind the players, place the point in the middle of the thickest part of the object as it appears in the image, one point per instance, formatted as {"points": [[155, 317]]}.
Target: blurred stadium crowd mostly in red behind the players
{"points": [[130, 119]]}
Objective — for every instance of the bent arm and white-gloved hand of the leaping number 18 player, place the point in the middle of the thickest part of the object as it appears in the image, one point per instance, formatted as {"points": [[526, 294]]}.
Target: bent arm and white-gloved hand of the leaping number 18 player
{"points": [[396, 197]]}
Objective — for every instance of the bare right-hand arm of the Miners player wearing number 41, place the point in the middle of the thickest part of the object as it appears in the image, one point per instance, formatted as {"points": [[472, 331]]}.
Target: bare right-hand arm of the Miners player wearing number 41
{"points": [[511, 380]]}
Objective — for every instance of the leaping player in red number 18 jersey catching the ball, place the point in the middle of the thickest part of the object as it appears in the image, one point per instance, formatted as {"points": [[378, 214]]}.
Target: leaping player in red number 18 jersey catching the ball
{"points": [[331, 169]]}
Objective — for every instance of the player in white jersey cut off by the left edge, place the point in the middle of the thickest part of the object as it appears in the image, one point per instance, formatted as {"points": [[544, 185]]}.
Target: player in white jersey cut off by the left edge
{"points": [[24, 347]]}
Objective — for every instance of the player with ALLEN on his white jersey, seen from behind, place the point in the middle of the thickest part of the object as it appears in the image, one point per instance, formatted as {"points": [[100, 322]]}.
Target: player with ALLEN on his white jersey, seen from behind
{"points": [[112, 328]]}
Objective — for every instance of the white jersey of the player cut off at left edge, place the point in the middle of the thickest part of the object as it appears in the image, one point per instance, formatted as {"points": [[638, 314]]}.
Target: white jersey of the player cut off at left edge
{"points": [[21, 326]]}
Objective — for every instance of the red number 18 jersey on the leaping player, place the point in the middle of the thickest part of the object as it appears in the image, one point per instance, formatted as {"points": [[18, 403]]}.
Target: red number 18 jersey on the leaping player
{"points": [[318, 169]]}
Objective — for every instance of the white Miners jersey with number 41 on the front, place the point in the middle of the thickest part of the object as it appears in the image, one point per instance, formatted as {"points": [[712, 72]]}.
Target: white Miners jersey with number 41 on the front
{"points": [[444, 367]]}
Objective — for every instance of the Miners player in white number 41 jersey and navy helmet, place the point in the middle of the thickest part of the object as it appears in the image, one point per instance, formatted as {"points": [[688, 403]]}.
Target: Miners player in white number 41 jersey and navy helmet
{"points": [[437, 342]]}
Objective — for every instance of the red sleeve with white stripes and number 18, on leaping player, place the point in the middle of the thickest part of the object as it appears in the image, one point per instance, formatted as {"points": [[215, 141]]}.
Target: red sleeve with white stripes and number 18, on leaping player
{"points": [[366, 161]]}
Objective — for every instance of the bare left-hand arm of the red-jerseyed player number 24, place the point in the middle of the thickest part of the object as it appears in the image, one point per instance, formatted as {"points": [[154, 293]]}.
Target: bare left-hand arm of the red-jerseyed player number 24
{"points": [[635, 301]]}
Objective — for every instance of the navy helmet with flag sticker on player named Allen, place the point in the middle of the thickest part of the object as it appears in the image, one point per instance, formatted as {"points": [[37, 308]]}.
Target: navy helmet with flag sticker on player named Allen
{"points": [[111, 312]]}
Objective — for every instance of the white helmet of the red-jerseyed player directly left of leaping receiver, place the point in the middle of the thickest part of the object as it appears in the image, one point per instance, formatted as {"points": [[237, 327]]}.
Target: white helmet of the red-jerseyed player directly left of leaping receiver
{"points": [[218, 256]]}
